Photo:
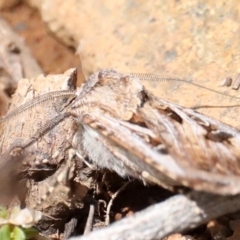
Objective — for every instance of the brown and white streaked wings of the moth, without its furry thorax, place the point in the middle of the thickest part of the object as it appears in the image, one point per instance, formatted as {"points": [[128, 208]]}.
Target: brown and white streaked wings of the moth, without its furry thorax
{"points": [[195, 150]]}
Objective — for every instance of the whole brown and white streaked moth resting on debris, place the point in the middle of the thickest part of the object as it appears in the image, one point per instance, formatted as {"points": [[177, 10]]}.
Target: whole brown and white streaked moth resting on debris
{"points": [[121, 126]]}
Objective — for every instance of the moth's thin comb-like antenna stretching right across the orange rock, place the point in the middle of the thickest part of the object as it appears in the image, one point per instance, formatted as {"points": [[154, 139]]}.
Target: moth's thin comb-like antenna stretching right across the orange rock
{"points": [[163, 78]]}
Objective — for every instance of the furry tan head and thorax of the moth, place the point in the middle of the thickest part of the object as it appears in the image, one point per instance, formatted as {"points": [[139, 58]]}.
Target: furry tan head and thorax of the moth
{"points": [[112, 93]]}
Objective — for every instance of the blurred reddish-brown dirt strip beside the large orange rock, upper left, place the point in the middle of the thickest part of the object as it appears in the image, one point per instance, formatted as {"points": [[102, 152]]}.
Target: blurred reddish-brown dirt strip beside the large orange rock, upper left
{"points": [[53, 56]]}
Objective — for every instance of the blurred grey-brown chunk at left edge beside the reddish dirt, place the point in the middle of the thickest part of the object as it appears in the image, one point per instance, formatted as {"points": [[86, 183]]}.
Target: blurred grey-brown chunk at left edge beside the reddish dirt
{"points": [[16, 62]]}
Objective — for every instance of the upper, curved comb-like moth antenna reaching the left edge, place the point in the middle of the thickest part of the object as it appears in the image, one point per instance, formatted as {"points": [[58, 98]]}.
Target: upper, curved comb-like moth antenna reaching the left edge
{"points": [[36, 101]]}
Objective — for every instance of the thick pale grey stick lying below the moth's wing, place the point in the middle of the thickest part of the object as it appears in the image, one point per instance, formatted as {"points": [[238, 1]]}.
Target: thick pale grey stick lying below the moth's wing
{"points": [[177, 214]]}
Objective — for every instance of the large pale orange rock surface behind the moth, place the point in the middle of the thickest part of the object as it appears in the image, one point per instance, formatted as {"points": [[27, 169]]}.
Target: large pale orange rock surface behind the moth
{"points": [[193, 40]]}
